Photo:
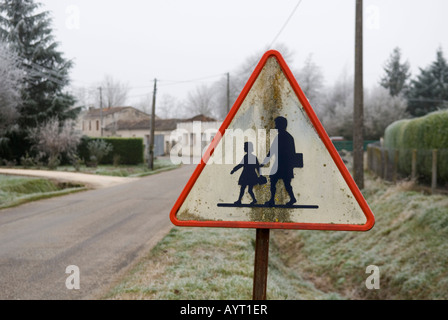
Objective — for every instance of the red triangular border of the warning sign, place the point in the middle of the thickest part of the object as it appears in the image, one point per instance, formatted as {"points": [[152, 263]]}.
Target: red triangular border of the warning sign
{"points": [[322, 134]]}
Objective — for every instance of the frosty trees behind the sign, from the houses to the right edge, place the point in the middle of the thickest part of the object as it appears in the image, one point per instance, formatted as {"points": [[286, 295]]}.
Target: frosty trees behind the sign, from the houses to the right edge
{"points": [[396, 96]]}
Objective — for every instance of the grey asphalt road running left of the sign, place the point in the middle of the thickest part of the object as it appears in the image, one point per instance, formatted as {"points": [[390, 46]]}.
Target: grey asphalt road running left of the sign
{"points": [[102, 232]]}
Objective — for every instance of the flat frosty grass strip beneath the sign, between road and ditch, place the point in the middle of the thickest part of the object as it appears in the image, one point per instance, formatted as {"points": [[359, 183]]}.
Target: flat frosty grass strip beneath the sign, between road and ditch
{"points": [[208, 264]]}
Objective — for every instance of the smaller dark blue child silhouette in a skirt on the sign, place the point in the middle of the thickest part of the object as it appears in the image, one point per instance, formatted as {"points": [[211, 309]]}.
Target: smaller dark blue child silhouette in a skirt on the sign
{"points": [[250, 175]]}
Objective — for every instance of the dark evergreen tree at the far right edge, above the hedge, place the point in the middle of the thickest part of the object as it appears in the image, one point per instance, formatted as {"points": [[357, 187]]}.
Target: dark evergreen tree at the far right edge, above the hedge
{"points": [[429, 91]]}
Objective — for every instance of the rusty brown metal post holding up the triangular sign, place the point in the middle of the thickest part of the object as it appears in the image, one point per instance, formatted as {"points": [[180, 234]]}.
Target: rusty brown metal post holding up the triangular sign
{"points": [[261, 264]]}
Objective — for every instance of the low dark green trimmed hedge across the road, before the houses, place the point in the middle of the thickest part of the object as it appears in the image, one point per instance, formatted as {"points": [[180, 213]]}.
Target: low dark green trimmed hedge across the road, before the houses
{"points": [[129, 150]]}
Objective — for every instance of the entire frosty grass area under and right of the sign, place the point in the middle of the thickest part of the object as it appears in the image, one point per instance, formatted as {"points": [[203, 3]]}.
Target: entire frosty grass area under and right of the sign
{"points": [[408, 244]]}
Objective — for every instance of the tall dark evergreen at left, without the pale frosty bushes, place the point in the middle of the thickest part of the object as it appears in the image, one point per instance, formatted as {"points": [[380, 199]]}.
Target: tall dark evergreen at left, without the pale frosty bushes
{"points": [[27, 30]]}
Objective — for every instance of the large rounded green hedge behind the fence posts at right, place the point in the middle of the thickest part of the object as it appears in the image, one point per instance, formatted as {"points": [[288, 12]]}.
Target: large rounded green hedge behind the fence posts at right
{"points": [[422, 134]]}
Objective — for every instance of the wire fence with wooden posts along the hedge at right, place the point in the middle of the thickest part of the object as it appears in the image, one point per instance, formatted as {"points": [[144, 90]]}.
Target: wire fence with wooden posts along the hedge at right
{"points": [[422, 165]]}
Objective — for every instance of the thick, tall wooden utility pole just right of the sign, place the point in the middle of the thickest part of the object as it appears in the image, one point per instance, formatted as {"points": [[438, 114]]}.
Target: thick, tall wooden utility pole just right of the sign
{"points": [[358, 112]]}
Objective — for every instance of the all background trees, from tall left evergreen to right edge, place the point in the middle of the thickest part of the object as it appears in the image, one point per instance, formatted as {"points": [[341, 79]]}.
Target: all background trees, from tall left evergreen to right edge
{"points": [[37, 104]]}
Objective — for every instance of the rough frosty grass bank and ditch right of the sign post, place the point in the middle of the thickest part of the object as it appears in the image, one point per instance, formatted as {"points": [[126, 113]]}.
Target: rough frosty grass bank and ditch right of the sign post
{"points": [[408, 243]]}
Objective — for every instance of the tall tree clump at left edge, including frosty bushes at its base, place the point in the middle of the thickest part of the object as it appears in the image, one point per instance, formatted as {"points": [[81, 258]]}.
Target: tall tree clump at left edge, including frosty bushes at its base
{"points": [[35, 105]]}
